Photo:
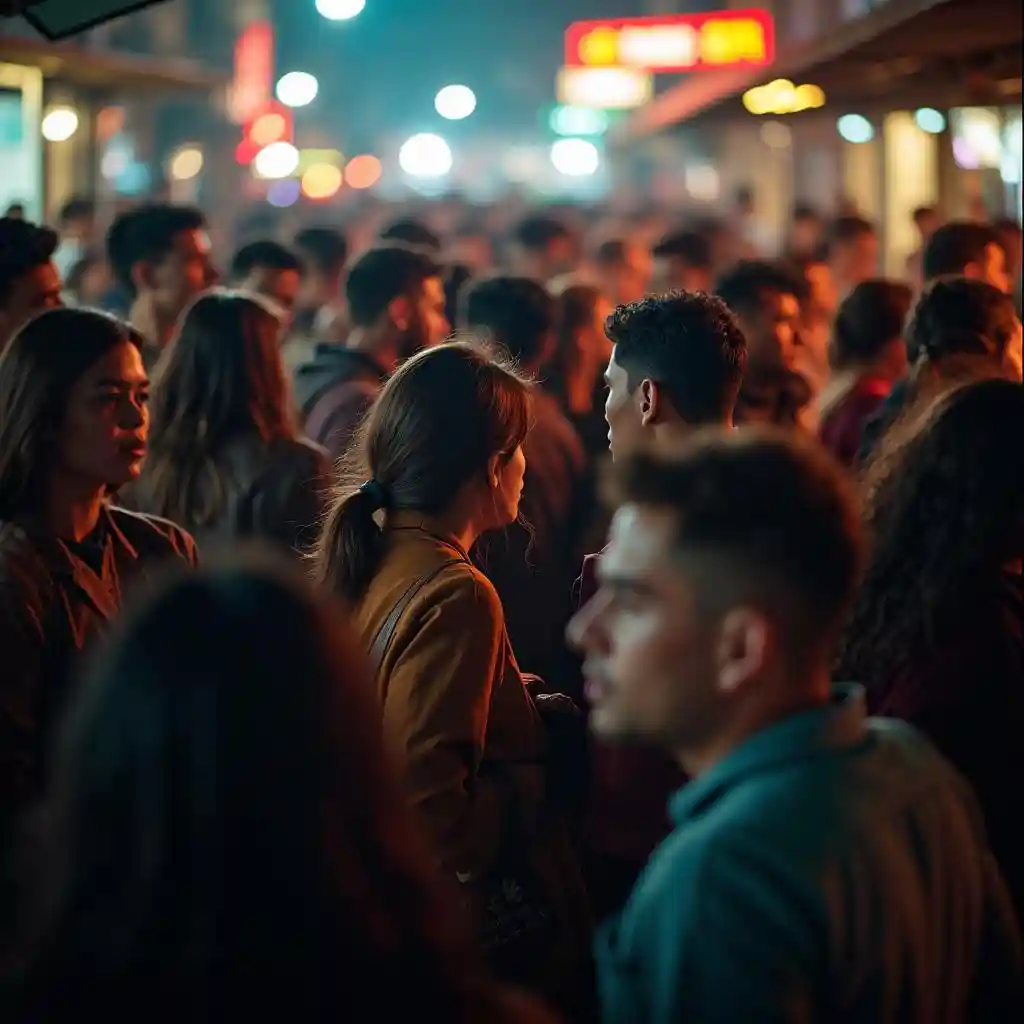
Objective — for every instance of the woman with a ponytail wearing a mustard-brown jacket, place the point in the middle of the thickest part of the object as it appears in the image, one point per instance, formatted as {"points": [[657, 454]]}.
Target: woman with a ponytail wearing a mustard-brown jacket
{"points": [[439, 464]]}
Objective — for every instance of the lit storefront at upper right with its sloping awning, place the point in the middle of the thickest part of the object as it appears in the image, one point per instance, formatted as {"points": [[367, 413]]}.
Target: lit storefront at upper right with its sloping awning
{"points": [[887, 131]]}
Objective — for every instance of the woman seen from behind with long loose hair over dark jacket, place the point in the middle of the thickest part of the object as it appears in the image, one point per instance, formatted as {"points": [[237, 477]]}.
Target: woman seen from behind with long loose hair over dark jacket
{"points": [[226, 459]]}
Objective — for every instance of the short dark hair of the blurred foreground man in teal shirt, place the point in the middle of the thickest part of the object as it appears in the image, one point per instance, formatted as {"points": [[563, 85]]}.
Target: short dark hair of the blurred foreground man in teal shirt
{"points": [[776, 515]]}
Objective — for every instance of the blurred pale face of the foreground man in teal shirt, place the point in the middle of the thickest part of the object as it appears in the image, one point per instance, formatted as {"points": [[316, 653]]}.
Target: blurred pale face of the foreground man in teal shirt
{"points": [[650, 661]]}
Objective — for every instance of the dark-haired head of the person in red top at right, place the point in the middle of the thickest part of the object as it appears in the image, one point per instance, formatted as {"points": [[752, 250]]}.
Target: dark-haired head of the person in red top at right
{"points": [[870, 319]]}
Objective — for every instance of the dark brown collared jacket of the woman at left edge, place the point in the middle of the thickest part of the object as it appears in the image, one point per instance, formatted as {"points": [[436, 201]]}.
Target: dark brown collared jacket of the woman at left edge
{"points": [[55, 600]]}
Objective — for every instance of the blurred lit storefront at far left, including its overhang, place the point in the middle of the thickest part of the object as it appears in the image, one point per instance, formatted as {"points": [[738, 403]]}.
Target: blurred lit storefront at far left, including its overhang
{"points": [[62, 105]]}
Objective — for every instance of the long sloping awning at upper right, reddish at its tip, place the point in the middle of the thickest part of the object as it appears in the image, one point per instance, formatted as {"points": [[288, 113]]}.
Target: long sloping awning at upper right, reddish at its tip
{"points": [[902, 52]]}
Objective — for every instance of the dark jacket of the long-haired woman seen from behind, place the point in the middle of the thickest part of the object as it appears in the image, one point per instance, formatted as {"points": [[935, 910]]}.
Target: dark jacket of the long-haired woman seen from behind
{"points": [[277, 492]]}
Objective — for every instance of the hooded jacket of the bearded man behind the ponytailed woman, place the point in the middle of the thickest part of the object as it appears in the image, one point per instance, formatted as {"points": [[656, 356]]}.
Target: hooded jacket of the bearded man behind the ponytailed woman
{"points": [[334, 393]]}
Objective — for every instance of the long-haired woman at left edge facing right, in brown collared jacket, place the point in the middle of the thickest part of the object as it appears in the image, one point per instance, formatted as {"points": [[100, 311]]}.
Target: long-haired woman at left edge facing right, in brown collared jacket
{"points": [[74, 419]]}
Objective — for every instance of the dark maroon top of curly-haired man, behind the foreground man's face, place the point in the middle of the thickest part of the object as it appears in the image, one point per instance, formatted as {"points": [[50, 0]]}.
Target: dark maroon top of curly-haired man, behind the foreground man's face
{"points": [[630, 787]]}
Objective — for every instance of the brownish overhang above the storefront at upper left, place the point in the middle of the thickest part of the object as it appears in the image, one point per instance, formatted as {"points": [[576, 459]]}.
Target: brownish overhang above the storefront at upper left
{"points": [[104, 70]]}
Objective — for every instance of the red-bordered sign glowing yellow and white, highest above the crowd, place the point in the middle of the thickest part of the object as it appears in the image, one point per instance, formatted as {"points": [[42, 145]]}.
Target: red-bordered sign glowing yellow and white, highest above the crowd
{"points": [[673, 44]]}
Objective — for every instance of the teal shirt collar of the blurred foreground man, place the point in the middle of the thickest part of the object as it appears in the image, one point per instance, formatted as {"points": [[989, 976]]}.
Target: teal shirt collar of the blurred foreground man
{"points": [[839, 726]]}
